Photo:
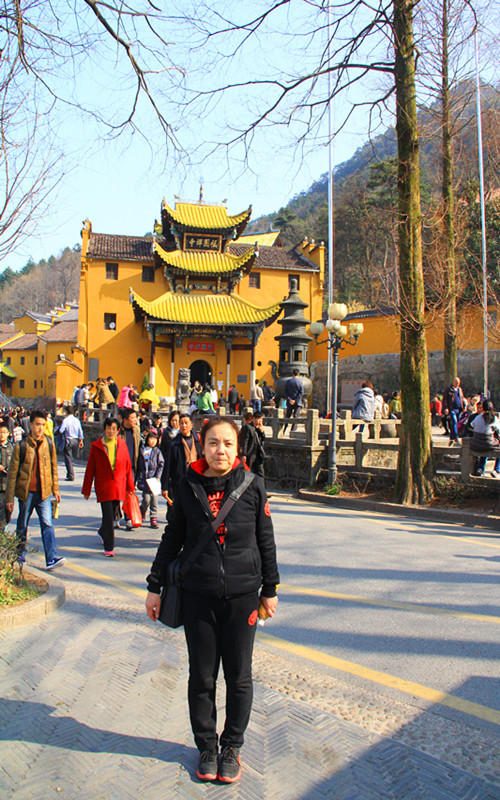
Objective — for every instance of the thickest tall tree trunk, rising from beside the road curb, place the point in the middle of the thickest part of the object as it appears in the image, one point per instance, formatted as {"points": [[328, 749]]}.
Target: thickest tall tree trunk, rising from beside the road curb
{"points": [[415, 463]]}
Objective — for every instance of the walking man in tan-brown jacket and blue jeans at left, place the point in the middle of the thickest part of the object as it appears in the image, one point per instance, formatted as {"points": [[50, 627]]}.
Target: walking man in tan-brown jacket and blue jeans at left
{"points": [[32, 478]]}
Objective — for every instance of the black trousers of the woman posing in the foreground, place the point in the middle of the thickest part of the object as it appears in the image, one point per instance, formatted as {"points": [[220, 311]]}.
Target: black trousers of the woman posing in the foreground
{"points": [[219, 629]]}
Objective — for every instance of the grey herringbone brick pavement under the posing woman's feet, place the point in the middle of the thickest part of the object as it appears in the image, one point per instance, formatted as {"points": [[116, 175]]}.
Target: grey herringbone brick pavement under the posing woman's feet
{"points": [[94, 707]]}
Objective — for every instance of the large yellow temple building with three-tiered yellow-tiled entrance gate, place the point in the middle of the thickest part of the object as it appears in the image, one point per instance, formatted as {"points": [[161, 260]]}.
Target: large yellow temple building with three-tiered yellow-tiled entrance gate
{"points": [[199, 293]]}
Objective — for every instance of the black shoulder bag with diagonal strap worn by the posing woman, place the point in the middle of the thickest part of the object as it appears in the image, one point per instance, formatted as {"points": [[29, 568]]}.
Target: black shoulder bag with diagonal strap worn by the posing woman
{"points": [[171, 608]]}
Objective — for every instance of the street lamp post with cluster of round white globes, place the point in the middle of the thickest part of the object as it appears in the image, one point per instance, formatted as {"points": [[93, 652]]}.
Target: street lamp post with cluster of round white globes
{"points": [[337, 340]]}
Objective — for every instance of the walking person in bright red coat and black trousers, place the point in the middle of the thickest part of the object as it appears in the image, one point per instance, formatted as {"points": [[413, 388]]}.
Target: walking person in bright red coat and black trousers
{"points": [[110, 469]]}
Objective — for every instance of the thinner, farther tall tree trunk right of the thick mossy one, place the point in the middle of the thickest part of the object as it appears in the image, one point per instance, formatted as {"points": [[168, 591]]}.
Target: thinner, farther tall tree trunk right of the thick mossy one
{"points": [[450, 292]]}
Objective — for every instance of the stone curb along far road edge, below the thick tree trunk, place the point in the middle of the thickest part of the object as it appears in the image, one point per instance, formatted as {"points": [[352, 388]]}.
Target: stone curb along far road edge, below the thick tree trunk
{"points": [[418, 512]]}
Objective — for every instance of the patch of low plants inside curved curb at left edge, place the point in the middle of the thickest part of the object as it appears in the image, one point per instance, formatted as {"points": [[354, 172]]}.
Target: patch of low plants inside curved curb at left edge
{"points": [[15, 586]]}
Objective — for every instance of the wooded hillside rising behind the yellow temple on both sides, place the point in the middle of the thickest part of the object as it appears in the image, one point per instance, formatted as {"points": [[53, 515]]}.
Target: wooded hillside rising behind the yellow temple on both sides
{"points": [[365, 214]]}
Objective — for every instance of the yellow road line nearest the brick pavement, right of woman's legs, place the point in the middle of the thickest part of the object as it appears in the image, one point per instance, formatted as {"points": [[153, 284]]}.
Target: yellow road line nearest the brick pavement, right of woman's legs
{"points": [[384, 679]]}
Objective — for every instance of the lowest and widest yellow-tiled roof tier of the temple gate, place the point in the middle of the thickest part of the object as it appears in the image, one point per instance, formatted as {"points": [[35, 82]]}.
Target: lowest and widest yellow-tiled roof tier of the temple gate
{"points": [[208, 309]]}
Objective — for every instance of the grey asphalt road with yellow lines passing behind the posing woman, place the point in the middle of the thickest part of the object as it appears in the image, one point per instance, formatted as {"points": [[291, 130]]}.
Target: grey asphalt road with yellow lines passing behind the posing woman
{"points": [[406, 606]]}
